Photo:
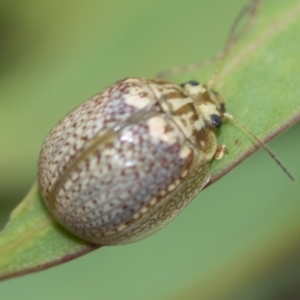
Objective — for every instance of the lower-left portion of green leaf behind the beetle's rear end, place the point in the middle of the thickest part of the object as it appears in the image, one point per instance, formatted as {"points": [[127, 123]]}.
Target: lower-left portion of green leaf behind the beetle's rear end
{"points": [[34, 241]]}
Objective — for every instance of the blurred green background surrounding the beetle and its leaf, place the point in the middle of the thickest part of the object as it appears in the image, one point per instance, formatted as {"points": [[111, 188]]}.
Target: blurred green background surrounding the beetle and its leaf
{"points": [[240, 237]]}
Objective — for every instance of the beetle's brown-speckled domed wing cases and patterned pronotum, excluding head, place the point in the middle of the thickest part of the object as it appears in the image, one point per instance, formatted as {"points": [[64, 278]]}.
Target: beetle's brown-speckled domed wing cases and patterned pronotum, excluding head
{"points": [[126, 162]]}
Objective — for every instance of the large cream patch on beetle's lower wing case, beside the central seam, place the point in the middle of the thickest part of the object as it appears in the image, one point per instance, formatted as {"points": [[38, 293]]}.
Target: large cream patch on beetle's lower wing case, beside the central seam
{"points": [[157, 127]]}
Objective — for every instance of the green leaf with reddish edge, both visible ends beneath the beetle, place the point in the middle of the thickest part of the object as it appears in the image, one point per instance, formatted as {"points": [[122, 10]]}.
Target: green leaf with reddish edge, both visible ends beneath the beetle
{"points": [[260, 83]]}
